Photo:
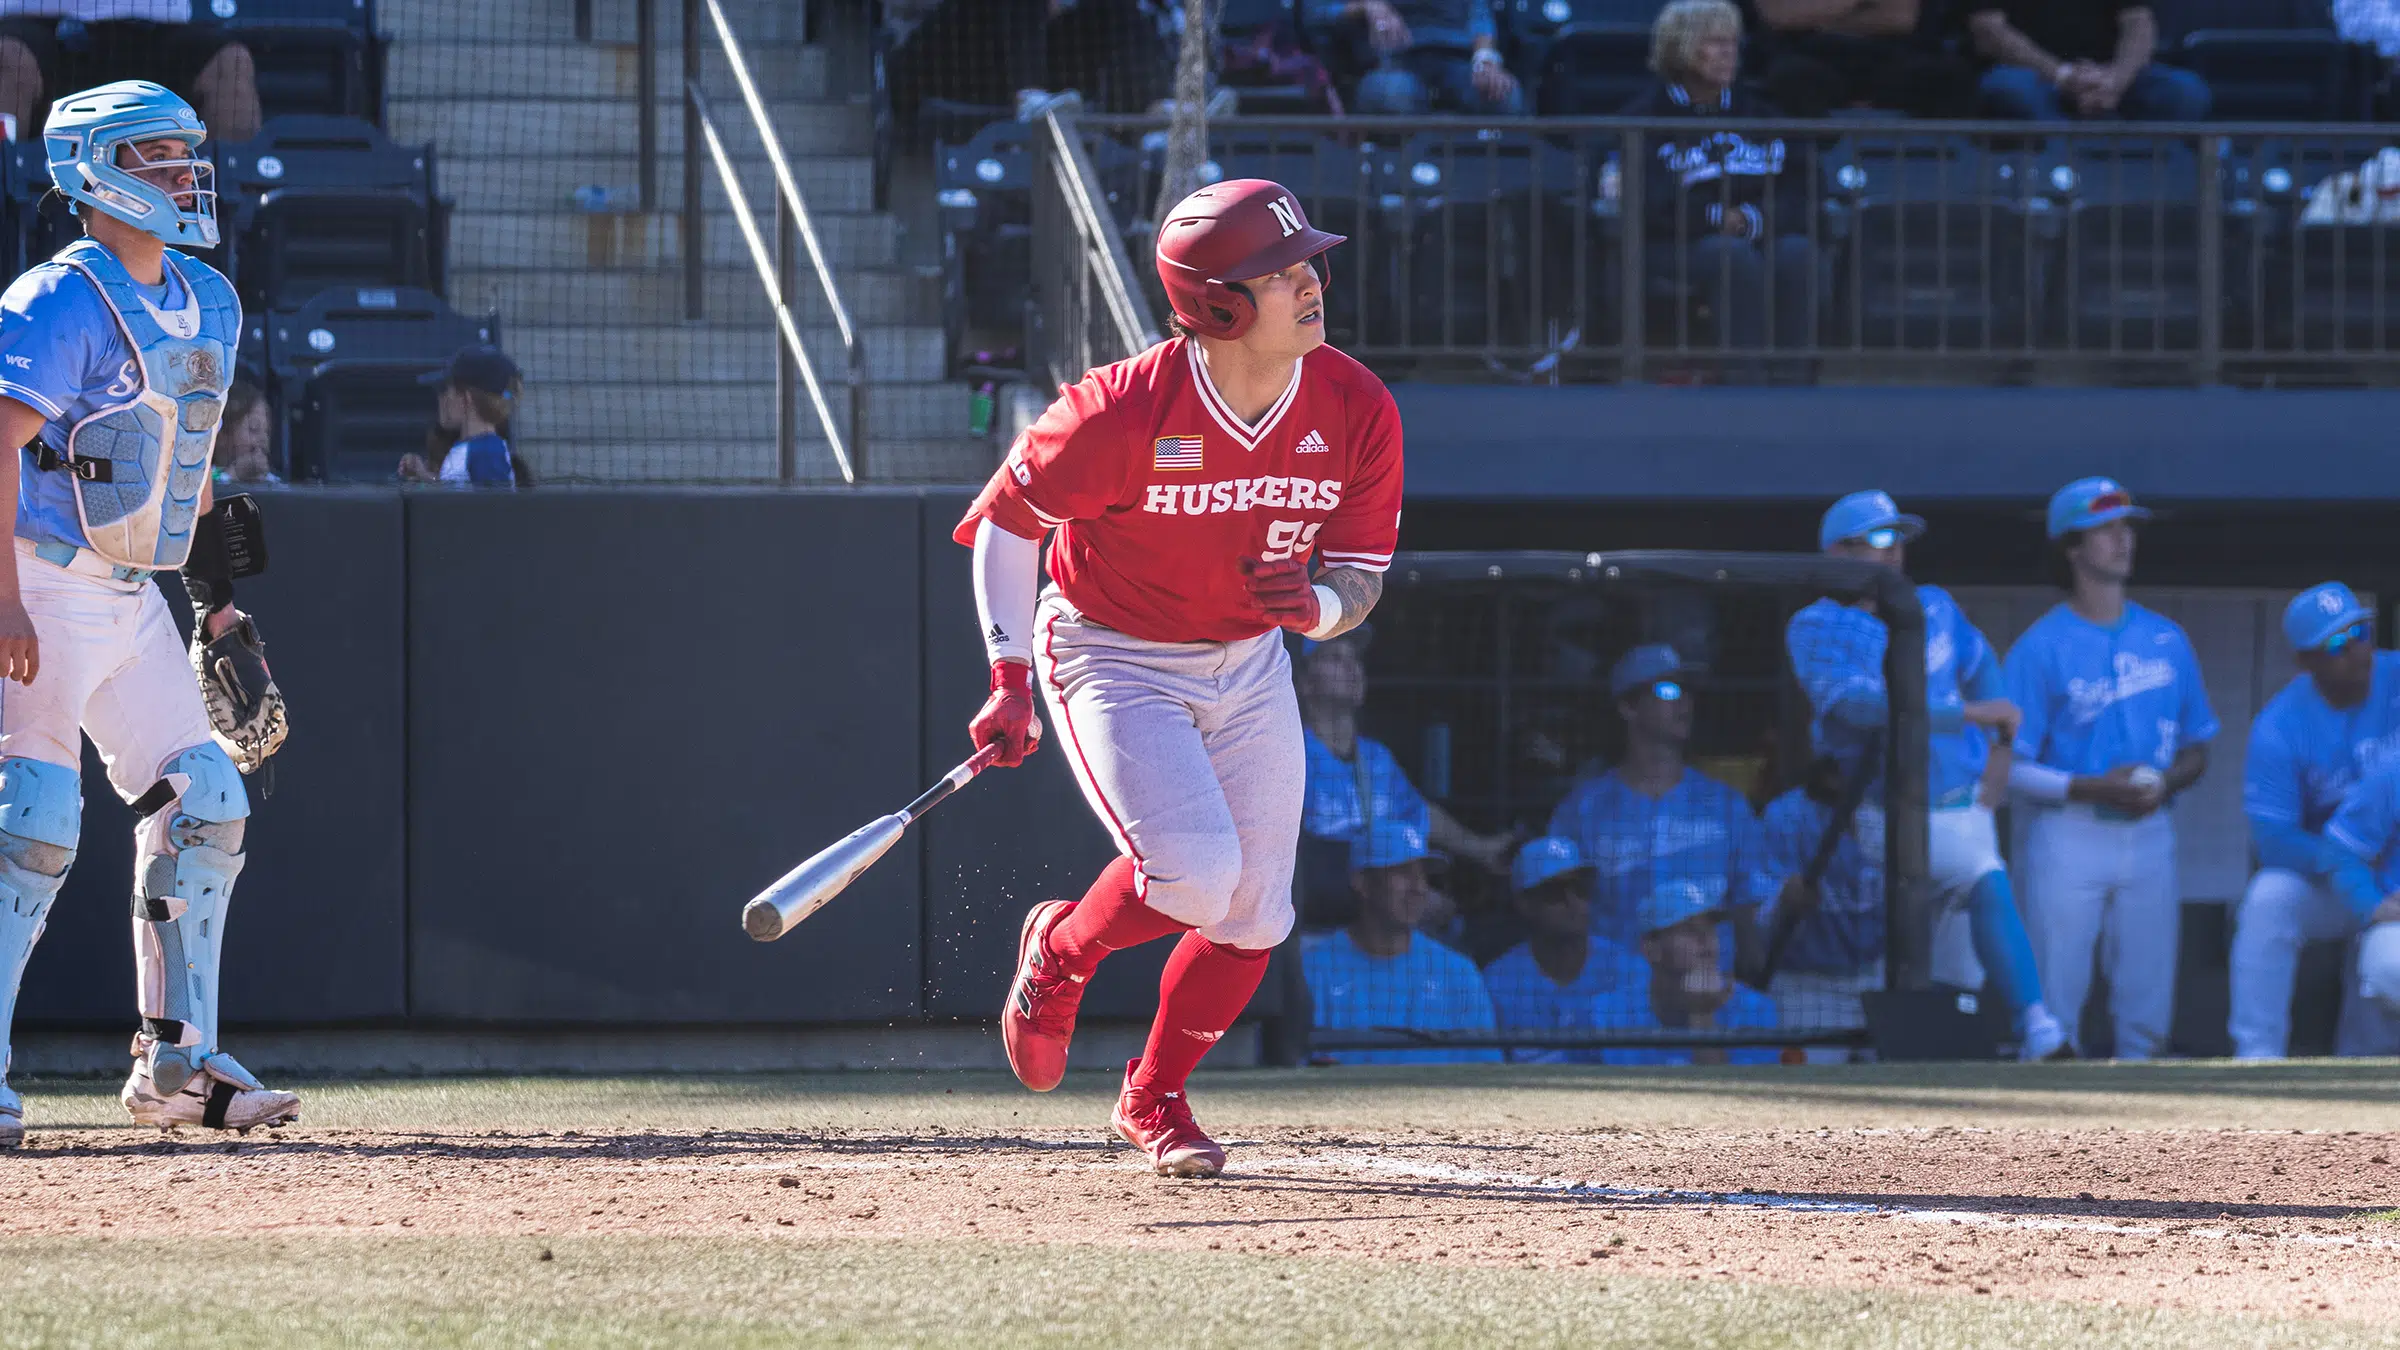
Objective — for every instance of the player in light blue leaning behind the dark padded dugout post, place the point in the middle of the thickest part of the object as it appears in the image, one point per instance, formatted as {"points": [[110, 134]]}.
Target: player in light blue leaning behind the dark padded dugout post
{"points": [[1840, 659]]}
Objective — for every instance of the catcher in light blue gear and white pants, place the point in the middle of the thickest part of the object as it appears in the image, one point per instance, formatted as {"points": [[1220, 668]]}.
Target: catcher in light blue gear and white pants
{"points": [[114, 371]]}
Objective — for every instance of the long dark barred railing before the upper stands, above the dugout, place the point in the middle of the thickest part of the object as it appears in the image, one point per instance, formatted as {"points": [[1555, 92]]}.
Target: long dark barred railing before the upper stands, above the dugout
{"points": [[2192, 253]]}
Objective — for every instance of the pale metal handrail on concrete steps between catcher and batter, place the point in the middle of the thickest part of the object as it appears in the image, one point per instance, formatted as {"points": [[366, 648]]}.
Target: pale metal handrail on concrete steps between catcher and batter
{"points": [[774, 270]]}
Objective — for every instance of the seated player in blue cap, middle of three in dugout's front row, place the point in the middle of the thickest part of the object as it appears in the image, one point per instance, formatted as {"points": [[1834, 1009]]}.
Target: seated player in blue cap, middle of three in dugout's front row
{"points": [[1561, 974]]}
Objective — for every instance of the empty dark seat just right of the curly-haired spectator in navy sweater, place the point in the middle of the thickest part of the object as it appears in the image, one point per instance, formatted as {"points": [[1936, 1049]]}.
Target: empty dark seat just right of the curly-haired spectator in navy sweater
{"points": [[1936, 244]]}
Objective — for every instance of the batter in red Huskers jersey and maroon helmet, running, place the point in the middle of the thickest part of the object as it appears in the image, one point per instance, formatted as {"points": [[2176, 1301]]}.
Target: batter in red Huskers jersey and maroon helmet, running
{"points": [[1192, 491]]}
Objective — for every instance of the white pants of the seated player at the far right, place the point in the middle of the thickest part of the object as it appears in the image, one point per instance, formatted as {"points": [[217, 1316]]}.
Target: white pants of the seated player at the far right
{"points": [[2284, 912]]}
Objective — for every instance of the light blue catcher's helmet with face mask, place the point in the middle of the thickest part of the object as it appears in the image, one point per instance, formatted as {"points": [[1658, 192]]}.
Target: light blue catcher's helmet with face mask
{"points": [[83, 141]]}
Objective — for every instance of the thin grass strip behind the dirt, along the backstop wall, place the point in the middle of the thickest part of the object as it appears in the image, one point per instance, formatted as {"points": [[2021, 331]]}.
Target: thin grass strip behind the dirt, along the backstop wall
{"points": [[2344, 1094]]}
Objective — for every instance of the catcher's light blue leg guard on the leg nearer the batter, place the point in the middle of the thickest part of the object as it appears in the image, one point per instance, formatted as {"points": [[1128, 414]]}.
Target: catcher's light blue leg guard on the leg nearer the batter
{"points": [[188, 852]]}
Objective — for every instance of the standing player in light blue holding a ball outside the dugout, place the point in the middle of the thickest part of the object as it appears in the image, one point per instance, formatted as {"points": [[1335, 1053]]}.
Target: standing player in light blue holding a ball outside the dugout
{"points": [[2116, 724]]}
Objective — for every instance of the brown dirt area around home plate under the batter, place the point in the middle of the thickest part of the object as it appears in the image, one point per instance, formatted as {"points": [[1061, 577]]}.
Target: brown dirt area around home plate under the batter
{"points": [[2267, 1221]]}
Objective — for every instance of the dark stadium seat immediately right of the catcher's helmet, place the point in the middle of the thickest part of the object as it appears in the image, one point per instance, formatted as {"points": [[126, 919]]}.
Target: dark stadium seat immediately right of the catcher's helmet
{"points": [[320, 203]]}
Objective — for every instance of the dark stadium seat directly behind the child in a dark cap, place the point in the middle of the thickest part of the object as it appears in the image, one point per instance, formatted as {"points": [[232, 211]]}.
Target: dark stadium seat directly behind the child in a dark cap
{"points": [[347, 374]]}
